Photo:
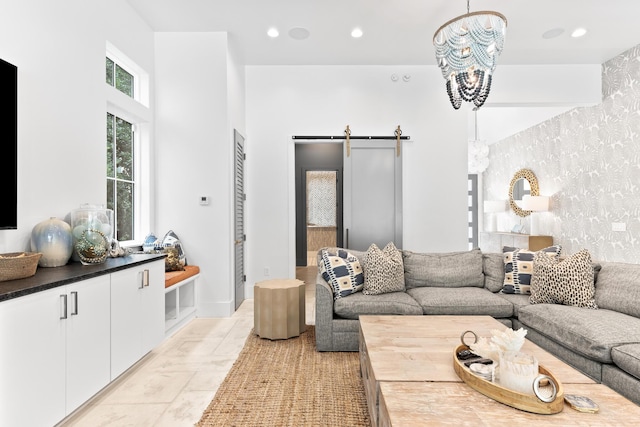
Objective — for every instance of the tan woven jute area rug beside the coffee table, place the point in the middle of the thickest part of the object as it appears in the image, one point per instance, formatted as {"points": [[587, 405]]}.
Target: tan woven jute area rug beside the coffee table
{"points": [[289, 383]]}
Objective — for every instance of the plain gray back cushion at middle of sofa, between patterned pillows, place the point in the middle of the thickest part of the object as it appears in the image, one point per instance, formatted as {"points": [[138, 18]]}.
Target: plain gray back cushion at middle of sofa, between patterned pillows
{"points": [[445, 270]]}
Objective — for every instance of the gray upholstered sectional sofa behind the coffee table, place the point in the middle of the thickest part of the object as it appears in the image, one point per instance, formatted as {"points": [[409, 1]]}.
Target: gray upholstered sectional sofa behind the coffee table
{"points": [[604, 343]]}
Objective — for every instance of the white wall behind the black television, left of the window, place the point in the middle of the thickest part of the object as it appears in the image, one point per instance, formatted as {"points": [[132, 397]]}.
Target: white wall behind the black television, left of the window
{"points": [[61, 108]]}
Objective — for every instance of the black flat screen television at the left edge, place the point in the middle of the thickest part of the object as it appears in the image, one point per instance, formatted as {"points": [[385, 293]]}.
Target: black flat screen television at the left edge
{"points": [[8, 146]]}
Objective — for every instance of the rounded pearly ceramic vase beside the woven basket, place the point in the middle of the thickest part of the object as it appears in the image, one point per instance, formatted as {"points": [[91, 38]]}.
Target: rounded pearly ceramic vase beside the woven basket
{"points": [[52, 238]]}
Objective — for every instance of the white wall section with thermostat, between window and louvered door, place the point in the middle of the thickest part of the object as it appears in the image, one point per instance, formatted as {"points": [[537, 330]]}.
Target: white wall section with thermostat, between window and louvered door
{"points": [[194, 157]]}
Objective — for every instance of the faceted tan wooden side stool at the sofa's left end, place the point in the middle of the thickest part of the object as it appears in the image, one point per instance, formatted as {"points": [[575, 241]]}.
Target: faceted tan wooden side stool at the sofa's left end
{"points": [[279, 308]]}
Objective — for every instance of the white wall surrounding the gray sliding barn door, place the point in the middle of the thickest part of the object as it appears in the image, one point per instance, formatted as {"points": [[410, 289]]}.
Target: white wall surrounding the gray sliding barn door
{"points": [[318, 100]]}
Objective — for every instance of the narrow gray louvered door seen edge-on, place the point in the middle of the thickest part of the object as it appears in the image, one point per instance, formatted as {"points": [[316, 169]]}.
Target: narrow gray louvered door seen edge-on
{"points": [[240, 237]]}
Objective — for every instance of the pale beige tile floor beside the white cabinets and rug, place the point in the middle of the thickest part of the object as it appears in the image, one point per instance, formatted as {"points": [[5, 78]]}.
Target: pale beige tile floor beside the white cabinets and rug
{"points": [[174, 383]]}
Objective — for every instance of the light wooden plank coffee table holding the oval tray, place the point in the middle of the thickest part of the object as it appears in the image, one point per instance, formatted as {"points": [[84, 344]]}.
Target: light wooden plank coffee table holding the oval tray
{"points": [[408, 377]]}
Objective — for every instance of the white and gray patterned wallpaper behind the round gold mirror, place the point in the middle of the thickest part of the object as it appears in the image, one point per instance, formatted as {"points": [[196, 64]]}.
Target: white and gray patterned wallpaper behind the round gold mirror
{"points": [[588, 161]]}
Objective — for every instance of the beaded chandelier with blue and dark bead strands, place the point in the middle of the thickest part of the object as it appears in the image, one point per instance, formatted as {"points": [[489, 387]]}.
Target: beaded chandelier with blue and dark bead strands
{"points": [[467, 48]]}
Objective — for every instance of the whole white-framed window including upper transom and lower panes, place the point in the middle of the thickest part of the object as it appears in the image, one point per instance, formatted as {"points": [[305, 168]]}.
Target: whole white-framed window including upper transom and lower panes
{"points": [[127, 147]]}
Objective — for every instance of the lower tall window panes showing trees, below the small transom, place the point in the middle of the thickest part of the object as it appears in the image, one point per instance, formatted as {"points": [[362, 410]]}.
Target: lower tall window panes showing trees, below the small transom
{"points": [[121, 175]]}
